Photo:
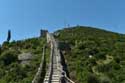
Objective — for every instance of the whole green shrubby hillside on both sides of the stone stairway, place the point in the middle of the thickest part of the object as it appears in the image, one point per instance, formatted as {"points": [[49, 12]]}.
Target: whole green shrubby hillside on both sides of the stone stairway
{"points": [[92, 56]]}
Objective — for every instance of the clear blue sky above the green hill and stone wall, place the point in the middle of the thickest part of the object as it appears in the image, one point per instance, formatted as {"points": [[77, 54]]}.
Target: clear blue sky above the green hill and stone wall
{"points": [[25, 18]]}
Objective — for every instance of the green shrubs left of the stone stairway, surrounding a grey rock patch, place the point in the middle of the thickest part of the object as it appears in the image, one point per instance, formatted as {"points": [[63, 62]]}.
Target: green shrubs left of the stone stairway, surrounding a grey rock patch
{"points": [[11, 68]]}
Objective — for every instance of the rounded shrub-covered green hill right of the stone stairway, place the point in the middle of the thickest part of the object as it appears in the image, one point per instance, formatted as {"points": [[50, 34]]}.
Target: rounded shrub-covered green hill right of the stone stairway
{"points": [[96, 56]]}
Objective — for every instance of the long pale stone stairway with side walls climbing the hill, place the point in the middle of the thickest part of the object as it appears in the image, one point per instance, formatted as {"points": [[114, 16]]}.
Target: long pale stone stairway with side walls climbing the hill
{"points": [[55, 72]]}
